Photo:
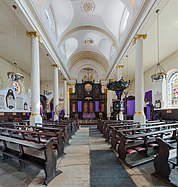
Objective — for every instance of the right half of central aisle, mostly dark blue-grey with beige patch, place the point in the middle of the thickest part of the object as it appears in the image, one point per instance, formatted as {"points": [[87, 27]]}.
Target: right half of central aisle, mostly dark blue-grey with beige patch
{"points": [[105, 169]]}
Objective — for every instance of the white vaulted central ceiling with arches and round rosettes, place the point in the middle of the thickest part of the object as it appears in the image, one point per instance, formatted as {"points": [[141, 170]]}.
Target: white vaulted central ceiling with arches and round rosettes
{"points": [[88, 27]]}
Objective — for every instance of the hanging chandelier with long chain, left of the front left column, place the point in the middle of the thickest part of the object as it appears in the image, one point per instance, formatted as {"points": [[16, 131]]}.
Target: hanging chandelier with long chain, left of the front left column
{"points": [[14, 75]]}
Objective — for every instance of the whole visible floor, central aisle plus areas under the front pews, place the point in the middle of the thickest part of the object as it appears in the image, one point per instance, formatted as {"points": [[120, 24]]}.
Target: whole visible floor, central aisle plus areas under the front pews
{"points": [[88, 161]]}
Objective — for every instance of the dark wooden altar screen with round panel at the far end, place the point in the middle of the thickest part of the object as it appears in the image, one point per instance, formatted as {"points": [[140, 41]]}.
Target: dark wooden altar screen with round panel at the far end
{"points": [[88, 93]]}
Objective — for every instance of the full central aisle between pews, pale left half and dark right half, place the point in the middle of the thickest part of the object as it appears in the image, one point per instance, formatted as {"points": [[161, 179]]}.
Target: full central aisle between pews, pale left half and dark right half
{"points": [[88, 162]]}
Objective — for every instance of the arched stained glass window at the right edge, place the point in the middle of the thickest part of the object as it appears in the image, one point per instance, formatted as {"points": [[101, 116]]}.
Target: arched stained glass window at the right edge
{"points": [[173, 90]]}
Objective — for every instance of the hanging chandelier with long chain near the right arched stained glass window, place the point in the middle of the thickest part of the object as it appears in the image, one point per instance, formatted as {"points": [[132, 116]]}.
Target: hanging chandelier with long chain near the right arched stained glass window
{"points": [[159, 73]]}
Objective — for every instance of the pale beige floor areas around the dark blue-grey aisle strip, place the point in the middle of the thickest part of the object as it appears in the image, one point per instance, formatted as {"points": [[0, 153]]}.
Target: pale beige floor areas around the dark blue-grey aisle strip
{"points": [[75, 164]]}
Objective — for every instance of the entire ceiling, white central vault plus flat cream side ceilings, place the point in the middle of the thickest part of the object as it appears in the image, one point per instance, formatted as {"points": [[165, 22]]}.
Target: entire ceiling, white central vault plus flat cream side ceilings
{"points": [[74, 39]]}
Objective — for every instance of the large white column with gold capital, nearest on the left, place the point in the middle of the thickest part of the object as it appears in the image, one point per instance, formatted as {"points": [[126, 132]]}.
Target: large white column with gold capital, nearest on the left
{"points": [[35, 80]]}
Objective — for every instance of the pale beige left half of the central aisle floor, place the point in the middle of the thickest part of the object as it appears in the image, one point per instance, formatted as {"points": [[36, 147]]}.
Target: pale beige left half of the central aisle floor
{"points": [[75, 164]]}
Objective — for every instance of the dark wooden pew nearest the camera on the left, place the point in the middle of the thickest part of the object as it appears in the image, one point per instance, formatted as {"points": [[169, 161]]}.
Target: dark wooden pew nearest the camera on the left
{"points": [[21, 150]]}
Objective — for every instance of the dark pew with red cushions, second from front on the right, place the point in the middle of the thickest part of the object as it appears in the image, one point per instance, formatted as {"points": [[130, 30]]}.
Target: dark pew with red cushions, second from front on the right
{"points": [[138, 148]]}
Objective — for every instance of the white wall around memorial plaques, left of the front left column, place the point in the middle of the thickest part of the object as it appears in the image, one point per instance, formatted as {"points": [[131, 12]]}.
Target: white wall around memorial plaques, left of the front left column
{"points": [[7, 84]]}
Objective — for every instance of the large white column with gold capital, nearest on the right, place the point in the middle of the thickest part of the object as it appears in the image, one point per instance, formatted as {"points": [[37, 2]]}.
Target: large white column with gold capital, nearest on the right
{"points": [[139, 82]]}
